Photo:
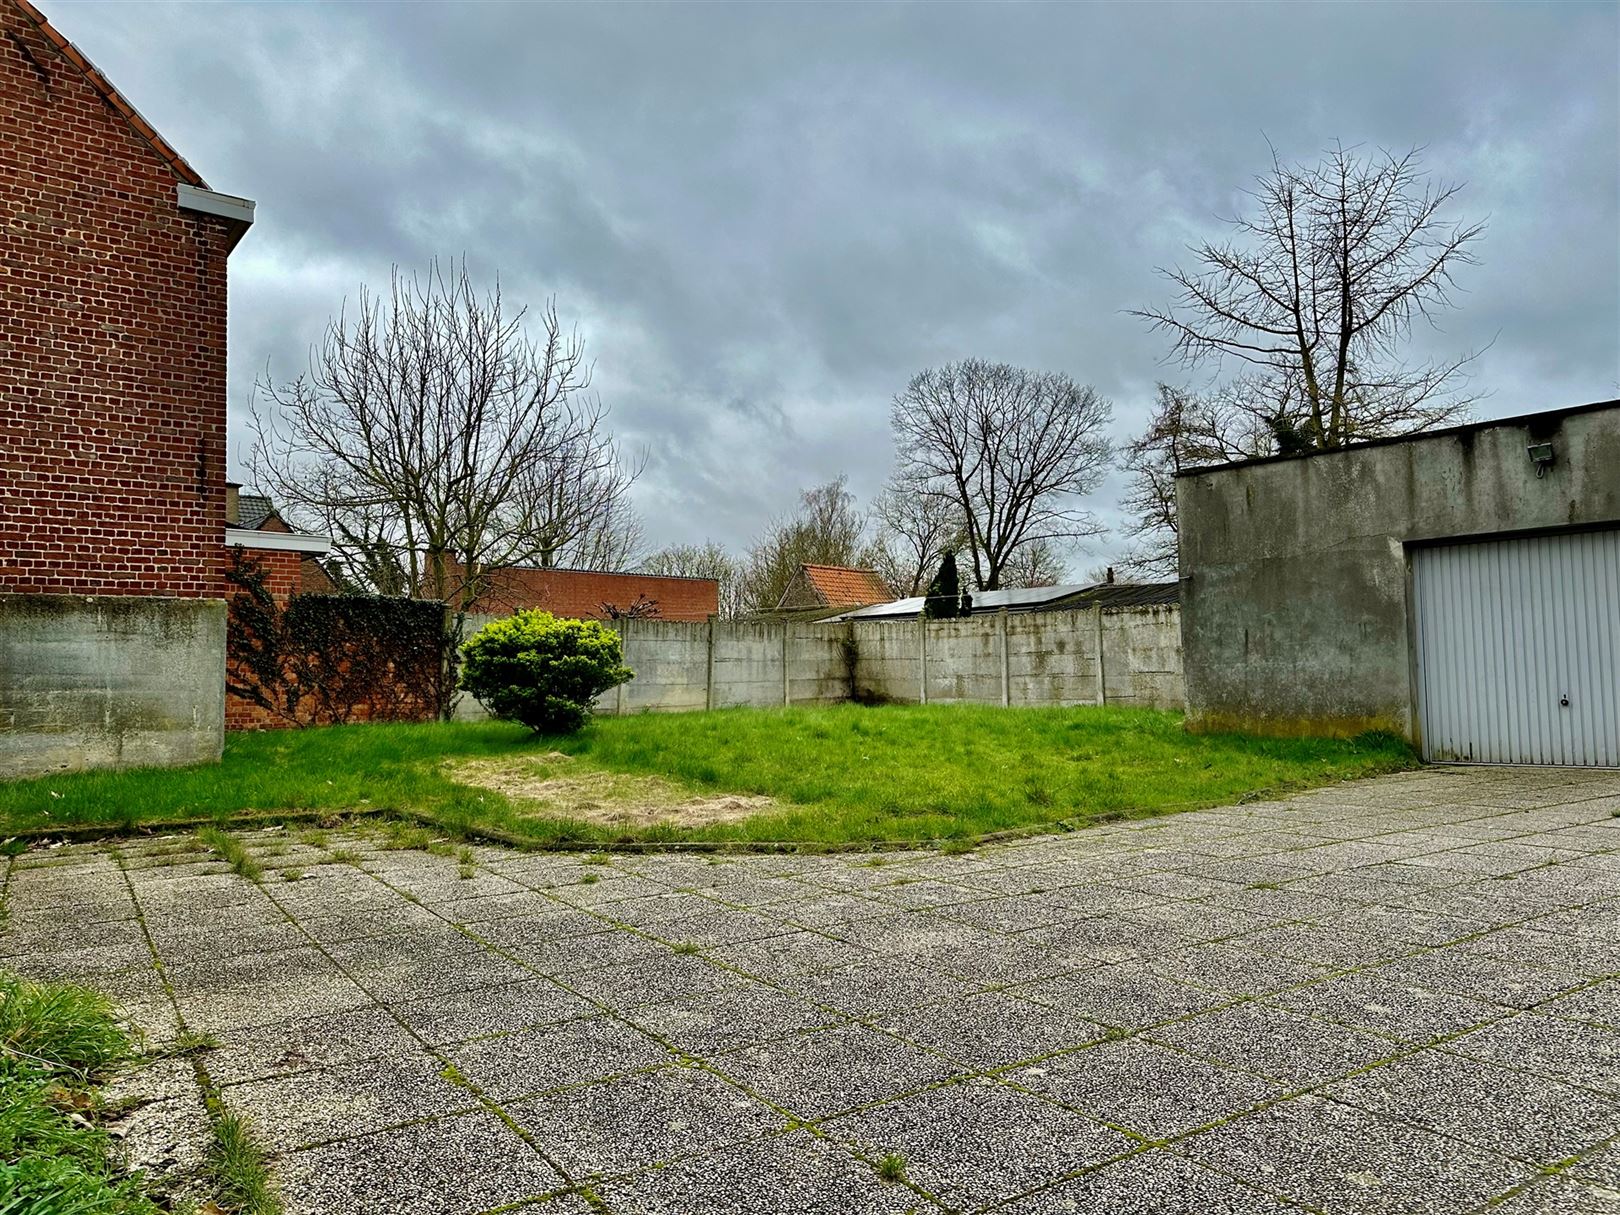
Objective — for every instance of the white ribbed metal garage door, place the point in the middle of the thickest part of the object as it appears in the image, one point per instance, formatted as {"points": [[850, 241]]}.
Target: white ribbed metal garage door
{"points": [[1519, 650]]}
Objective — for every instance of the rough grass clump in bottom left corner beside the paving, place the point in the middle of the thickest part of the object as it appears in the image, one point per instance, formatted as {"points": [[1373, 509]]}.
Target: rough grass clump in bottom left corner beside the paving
{"points": [[56, 1044]]}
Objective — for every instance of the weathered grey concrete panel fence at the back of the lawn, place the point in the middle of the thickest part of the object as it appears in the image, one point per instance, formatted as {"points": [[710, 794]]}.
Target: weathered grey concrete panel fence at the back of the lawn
{"points": [[1042, 659]]}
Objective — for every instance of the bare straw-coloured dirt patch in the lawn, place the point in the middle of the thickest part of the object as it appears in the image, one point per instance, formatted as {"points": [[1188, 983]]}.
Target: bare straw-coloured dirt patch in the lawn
{"points": [[548, 787]]}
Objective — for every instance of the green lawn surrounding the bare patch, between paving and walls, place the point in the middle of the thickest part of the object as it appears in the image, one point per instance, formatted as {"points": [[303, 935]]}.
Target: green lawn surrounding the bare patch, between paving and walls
{"points": [[840, 775]]}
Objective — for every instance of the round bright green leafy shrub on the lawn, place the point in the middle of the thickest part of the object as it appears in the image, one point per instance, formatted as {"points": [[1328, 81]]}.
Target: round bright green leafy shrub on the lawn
{"points": [[542, 670]]}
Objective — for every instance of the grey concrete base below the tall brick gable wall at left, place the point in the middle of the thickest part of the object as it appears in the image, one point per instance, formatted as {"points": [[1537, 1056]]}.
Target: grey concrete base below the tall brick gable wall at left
{"points": [[109, 683]]}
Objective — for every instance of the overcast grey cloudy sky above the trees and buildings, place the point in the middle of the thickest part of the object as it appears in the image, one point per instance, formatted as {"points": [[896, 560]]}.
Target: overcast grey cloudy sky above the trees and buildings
{"points": [[767, 218]]}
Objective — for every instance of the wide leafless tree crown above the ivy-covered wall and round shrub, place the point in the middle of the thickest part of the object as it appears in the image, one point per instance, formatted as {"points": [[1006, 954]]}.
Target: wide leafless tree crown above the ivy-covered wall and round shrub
{"points": [[435, 438]]}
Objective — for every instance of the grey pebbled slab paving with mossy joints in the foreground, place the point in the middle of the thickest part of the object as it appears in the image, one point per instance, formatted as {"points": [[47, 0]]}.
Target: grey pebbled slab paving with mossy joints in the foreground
{"points": [[1397, 995]]}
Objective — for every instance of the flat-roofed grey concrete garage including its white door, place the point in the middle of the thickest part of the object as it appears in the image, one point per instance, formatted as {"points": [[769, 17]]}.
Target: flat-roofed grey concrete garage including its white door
{"points": [[1460, 589]]}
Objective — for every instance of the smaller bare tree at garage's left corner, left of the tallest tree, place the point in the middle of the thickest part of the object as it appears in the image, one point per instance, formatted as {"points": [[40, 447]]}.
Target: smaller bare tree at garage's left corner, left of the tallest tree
{"points": [[1187, 430]]}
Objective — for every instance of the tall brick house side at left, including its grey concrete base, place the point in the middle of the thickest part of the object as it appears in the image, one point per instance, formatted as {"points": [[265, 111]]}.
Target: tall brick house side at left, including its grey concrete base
{"points": [[113, 422]]}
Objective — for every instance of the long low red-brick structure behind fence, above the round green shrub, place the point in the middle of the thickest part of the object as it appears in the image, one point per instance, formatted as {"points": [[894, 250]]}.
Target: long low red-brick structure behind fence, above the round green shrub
{"points": [[589, 595]]}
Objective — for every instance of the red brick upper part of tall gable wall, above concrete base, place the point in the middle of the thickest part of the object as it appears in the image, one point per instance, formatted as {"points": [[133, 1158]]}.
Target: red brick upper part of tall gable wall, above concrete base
{"points": [[113, 347]]}
